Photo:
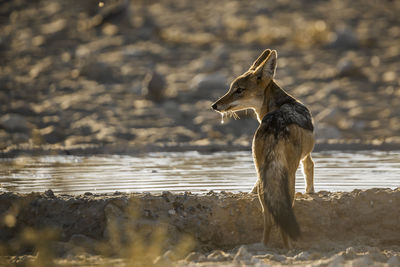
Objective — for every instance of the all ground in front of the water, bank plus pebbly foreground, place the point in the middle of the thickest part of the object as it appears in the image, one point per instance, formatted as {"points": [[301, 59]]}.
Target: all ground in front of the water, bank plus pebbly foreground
{"points": [[359, 228]]}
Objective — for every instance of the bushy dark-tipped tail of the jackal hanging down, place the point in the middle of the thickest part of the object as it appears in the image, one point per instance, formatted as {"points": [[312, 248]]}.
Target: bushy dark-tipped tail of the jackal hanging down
{"points": [[277, 198]]}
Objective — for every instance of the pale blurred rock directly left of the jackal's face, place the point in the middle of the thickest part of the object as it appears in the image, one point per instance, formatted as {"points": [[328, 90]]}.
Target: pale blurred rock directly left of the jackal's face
{"points": [[208, 85]]}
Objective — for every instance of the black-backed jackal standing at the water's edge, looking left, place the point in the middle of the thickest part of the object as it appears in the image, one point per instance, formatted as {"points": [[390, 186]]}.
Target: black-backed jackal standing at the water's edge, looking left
{"points": [[283, 139]]}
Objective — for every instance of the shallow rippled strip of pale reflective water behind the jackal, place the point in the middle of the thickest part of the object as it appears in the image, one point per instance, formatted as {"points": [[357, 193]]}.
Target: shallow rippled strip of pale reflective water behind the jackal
{"points": [[188, 171]]}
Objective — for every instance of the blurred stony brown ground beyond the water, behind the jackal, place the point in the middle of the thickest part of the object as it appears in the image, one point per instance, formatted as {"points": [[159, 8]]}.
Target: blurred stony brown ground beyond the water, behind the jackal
{"points": [[76, 74]]}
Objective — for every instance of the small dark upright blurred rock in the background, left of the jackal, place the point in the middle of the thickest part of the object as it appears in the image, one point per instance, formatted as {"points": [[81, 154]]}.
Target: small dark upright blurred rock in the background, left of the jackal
{"points": [[154, 86]]}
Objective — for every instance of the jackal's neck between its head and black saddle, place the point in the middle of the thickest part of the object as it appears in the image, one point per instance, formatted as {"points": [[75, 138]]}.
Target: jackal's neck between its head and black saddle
{"points": [[274, 97]]}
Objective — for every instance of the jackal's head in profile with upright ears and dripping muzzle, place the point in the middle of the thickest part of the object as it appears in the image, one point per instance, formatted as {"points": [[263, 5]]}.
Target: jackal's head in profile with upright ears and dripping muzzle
{"points": [[248, 90]]}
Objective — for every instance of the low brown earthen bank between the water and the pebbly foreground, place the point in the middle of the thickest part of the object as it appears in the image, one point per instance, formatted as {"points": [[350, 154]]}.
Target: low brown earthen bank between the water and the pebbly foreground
{"points": [[212, 221]]}
